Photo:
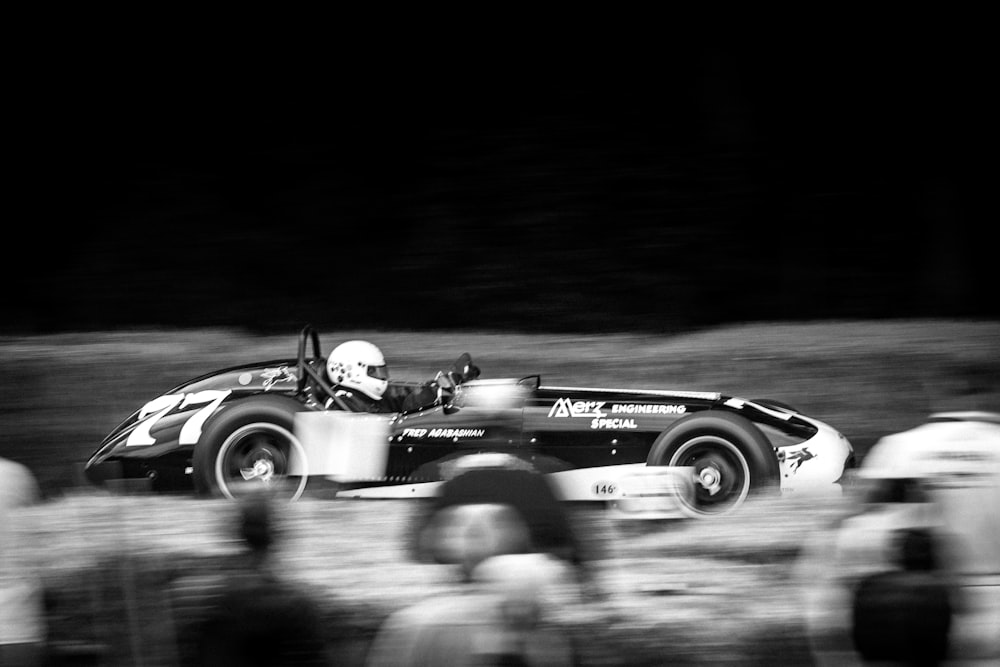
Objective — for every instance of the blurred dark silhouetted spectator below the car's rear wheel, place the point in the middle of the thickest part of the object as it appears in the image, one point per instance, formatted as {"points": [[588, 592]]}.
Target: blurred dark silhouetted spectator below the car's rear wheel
{"points": [[260, 619]]}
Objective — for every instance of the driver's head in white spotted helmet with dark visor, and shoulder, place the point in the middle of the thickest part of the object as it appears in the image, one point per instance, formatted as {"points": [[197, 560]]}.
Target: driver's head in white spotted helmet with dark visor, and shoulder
{"points": [[359, 375]]}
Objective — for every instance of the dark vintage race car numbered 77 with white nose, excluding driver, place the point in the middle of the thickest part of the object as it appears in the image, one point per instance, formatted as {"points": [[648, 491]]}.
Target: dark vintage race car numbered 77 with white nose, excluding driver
{"points": [[258, 423]]}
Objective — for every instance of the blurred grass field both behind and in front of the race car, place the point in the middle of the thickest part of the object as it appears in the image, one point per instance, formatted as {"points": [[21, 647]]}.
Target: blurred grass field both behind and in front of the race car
{"points": [[719, 592]]}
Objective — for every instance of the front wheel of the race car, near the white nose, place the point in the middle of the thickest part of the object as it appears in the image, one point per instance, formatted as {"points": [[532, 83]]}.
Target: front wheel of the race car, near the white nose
{"points": [[732, 461]]}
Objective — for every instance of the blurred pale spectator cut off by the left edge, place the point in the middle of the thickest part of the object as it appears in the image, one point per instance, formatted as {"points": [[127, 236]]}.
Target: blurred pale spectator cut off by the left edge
{"points": [[22, 607]]}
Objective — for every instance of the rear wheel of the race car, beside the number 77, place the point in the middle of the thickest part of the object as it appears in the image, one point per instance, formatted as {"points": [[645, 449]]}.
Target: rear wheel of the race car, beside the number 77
{"points": [[247, 448]]}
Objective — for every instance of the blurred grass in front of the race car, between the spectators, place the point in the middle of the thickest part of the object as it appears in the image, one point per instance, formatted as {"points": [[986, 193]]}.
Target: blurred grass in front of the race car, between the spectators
{"points": [[123, 574]]}
